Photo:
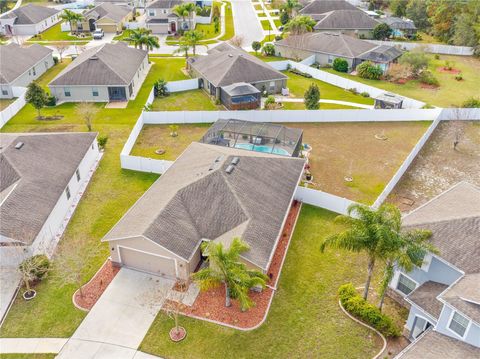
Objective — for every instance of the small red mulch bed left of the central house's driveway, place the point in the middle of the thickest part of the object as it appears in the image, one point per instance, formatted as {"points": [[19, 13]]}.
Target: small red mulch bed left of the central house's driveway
{"points": [[97, 285]]}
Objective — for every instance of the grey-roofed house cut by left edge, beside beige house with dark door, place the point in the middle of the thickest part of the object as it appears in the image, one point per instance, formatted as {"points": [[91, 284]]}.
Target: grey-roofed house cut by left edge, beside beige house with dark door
{"points": [[21, 65]]}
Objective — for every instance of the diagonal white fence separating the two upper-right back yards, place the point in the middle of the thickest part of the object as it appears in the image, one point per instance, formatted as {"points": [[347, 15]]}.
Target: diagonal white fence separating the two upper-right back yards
{"points": [[341, 81]]}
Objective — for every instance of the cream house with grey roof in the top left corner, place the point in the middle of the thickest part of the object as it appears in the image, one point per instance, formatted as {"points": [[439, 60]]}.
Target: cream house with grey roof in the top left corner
{"points": [[28, 20]]}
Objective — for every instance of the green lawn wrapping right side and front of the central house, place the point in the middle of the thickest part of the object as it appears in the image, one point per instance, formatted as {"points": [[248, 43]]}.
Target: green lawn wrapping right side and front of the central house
{"points": [[304, 321]]}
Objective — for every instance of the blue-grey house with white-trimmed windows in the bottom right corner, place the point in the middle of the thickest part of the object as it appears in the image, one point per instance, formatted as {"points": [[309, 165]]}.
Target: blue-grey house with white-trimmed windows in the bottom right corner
{"points": [[444, 293]]}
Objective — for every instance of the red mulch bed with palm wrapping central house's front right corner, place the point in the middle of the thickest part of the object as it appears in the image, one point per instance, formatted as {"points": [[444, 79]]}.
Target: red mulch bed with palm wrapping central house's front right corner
{"points": [[211, 304]]}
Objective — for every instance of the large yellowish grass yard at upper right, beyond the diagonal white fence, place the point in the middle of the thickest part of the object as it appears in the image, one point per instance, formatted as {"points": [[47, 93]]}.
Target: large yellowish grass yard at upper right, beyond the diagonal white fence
{"points": [[451, 92]]}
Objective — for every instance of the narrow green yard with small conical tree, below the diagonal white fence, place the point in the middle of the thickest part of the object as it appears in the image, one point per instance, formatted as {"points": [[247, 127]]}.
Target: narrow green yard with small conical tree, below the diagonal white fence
{"points": [[299, 84]]}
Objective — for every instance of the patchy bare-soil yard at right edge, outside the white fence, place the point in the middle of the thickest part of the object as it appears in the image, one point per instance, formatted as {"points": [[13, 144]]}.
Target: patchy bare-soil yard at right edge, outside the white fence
{"points": [[438, 166]]}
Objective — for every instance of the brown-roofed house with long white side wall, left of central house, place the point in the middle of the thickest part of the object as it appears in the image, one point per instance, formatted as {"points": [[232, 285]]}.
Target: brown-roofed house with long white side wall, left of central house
{"points": [[42, 175]]}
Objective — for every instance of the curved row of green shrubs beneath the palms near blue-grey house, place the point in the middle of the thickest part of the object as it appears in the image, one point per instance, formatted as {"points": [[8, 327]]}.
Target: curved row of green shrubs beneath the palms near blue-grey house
{"points": [[368, 313]]}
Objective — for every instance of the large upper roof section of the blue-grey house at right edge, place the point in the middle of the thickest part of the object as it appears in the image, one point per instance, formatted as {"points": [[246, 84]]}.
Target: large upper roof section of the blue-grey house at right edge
{"points": [[454, 219]]}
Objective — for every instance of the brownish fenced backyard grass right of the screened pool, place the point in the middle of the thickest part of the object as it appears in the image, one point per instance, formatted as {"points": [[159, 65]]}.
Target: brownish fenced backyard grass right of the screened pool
{"points": [[351, 149]]}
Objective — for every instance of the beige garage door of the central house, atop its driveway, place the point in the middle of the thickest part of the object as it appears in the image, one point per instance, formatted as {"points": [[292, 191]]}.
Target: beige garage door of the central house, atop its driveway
{"points": [[147, 262]]}
